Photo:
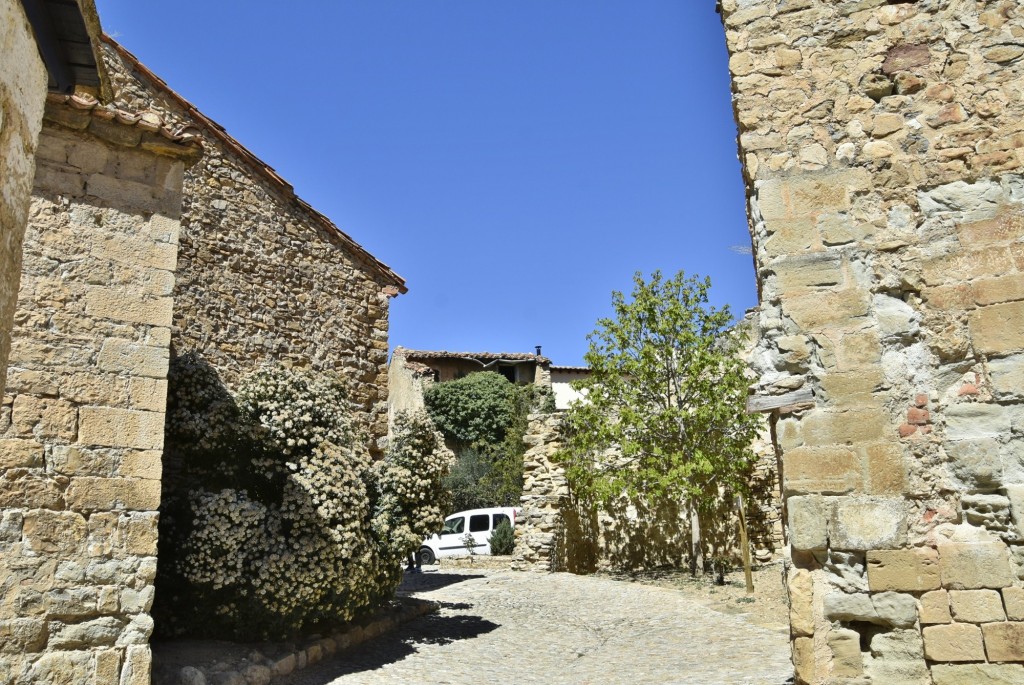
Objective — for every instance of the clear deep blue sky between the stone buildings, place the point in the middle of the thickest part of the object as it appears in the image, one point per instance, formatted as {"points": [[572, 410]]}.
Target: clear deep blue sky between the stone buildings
{"points": [[515, 161]]}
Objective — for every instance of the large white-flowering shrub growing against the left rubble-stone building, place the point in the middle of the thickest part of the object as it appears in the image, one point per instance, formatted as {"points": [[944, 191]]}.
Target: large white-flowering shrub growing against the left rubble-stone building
{"points": [[280, 524]]}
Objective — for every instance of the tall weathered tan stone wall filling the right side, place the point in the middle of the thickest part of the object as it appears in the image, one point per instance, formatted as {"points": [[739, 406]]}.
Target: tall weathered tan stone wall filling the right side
{"points": [[881, 145]]}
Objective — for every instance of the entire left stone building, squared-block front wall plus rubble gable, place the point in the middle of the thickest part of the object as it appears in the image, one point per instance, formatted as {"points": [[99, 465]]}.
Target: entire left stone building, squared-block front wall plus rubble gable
{"points": [[149, 233]]}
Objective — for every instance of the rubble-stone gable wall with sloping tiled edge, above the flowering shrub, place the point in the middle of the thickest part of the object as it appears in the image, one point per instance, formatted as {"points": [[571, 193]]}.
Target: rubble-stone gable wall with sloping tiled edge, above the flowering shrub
{"points": [[262, 275]]}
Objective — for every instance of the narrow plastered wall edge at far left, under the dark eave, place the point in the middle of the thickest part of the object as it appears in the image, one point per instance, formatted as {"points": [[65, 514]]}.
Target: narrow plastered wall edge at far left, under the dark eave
{"points": [[23, 93]]}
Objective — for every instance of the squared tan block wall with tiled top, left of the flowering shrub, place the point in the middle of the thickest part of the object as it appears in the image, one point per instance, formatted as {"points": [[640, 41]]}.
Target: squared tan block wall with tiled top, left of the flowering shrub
{"points": [[81, 427]]}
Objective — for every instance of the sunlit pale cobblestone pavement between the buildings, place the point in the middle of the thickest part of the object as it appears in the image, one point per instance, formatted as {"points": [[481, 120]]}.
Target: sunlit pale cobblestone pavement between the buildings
{"points": [[506, 627]]}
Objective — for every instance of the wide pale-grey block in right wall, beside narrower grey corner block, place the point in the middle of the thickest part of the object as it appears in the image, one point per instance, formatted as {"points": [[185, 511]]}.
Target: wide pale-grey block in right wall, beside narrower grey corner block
{"points": [[868, 524]]}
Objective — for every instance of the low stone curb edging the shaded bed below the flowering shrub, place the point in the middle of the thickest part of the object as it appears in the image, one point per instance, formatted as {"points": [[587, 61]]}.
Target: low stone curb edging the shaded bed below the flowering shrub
{"points": [[257, 669]]}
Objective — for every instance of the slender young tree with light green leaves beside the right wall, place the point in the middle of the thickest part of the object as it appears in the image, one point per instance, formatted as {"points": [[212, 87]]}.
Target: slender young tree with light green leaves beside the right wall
{"points": [[665, 415]]}
